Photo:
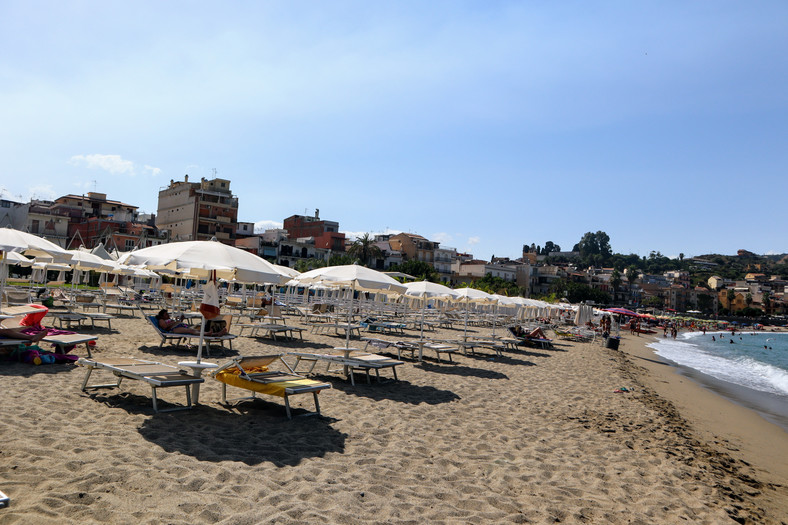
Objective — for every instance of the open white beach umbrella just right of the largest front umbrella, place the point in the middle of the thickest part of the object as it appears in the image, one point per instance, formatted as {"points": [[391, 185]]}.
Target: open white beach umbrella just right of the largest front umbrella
{"points": [[355, 277]]}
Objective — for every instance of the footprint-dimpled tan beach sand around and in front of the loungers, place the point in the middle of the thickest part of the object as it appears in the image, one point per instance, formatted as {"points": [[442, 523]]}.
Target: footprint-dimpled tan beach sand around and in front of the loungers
{"points": [[538, 436]]}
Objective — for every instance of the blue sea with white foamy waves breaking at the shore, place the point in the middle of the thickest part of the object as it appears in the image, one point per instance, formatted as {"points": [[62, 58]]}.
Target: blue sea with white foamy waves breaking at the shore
{"points": [[749, 368]]}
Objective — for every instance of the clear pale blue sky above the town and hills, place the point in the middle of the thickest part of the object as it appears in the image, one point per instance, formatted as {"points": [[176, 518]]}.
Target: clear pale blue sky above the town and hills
{"points": [[482, 125]]}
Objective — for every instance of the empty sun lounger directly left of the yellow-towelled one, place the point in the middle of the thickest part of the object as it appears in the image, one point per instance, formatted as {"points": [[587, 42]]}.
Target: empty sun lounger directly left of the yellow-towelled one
{"points": [[157, 375]]}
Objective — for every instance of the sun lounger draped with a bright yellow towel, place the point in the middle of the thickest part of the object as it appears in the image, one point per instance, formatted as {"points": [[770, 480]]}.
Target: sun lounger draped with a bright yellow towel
{"points": [[253, 373]]}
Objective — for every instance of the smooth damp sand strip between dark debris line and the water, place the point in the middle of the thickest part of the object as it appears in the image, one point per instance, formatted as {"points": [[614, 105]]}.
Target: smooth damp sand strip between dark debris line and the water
{"points": [[721, 419]]}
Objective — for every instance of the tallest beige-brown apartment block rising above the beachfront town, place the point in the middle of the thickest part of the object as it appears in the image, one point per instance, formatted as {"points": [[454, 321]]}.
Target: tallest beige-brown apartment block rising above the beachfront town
{"points": [[198, 211]]}
